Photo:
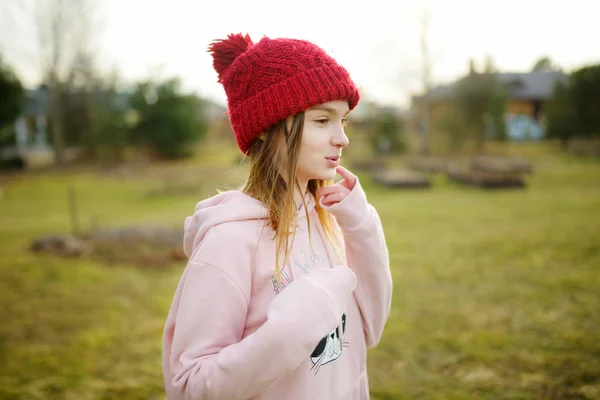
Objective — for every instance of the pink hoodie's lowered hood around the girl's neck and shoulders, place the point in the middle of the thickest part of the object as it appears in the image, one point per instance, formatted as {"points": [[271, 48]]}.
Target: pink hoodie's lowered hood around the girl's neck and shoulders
{"points": [[228, 206]]}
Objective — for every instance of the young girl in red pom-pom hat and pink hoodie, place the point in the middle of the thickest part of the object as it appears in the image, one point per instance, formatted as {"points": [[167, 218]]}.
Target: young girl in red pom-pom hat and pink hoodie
{"points": [[288, 280]]}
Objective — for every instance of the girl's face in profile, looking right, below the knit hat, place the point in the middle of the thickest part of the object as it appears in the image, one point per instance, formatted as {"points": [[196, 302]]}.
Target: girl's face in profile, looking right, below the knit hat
{"points": [[323, 139]]}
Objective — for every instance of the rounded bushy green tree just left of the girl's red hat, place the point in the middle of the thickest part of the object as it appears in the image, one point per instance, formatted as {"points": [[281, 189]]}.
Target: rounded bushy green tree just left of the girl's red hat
{"points": [[168, 120]]}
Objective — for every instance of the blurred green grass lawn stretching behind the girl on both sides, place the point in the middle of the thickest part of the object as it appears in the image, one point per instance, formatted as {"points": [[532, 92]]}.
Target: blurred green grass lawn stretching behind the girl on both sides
{"points": [[496, 294]]}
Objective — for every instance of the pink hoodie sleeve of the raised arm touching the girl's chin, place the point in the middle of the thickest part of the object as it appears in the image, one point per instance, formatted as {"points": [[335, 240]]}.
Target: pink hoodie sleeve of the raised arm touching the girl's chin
{"points": [[367, 255]]}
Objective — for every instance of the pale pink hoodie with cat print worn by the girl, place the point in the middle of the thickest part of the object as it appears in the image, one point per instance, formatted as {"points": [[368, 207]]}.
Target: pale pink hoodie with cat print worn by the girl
{"points": [[234, 332]]}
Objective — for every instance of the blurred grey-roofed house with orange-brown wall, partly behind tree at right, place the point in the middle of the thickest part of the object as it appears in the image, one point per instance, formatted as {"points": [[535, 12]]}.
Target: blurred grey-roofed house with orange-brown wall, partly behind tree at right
{"points": [[528, 95]]}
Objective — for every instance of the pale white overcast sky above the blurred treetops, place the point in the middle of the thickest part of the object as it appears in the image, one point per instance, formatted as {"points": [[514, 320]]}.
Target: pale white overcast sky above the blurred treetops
{"points": [[378, 41]]}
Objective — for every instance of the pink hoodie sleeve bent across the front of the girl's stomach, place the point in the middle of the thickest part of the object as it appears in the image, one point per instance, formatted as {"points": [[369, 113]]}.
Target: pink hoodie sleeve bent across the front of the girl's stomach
{"points": [[205, 354]]}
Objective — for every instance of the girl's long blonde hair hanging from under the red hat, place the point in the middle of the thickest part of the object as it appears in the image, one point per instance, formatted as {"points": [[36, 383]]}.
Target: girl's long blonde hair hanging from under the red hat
{"points": [[272, 180]]}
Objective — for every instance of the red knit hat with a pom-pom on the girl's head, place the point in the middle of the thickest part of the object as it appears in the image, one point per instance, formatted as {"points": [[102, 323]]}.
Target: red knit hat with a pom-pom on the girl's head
{"points": [[273, 79]]}
